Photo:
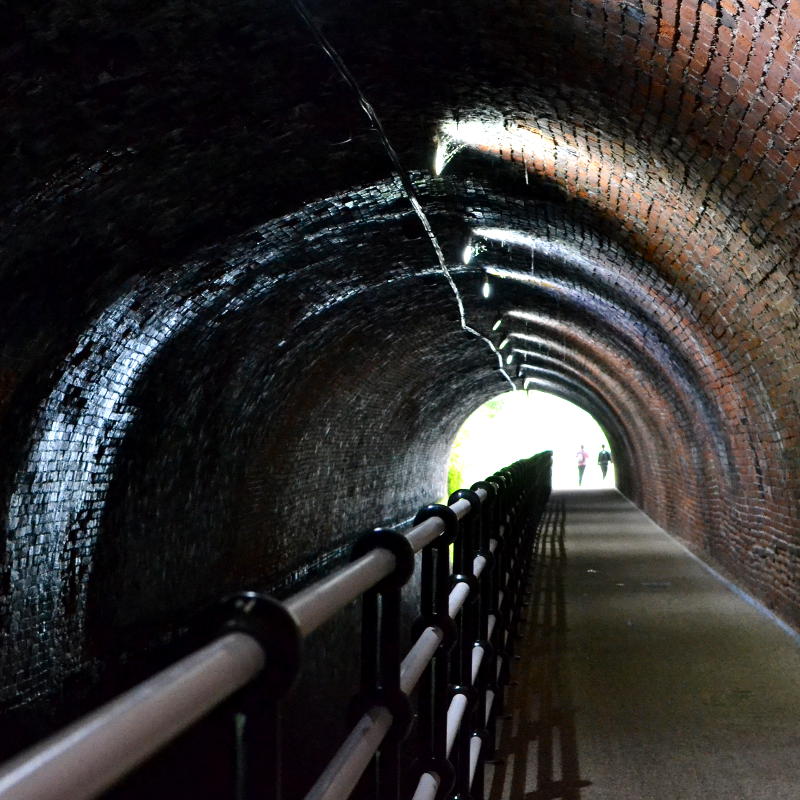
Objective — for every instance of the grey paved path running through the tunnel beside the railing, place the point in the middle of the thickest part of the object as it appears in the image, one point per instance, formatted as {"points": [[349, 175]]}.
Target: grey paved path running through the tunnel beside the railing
{"points": [[642, 675]]}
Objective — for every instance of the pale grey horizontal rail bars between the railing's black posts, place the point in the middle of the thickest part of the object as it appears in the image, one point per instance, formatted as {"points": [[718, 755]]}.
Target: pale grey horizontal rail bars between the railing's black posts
{"points": [[93, 753]]}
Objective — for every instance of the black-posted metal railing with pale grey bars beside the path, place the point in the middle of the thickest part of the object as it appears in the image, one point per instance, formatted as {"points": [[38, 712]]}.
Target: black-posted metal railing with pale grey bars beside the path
{"points": [[475, 556]]}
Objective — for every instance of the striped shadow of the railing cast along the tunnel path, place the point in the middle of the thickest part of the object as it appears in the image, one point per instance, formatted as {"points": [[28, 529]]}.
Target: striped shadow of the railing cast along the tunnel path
{"points": [[538, 749]]}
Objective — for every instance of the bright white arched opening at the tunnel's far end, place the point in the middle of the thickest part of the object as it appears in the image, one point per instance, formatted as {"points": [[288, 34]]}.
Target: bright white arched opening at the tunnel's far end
{"points": [[515, 425]]}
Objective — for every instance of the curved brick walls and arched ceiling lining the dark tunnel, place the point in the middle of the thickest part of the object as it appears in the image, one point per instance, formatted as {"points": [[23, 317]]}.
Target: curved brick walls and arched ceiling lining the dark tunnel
{"points": [[228, 346]]}
